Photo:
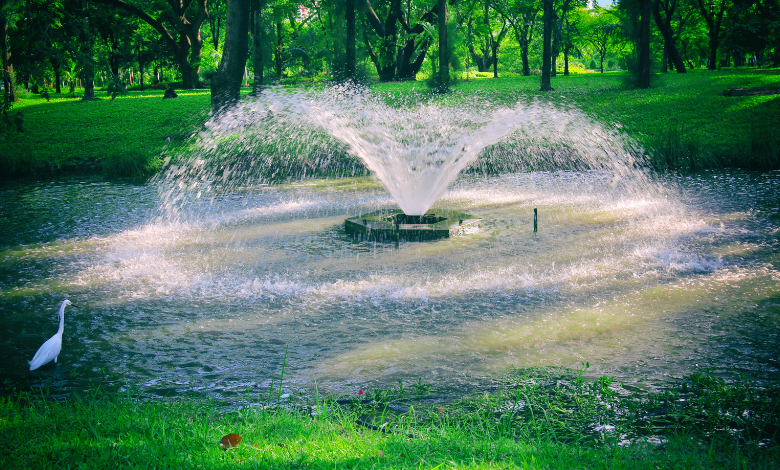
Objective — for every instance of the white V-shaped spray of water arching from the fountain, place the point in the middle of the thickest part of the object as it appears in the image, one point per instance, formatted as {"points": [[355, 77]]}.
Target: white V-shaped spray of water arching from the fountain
{"points": [[415, 145]]}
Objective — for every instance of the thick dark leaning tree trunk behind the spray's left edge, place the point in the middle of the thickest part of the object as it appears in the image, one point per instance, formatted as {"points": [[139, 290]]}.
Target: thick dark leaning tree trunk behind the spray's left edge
{"points": [[226, 84]]}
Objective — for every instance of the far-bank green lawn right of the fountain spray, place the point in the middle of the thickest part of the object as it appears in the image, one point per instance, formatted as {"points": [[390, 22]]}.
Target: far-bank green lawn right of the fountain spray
{"points": [[681, 112]]}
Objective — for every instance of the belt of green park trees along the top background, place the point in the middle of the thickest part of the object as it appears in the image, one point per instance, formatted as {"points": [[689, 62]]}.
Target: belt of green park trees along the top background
{"points": [[63, 44]]}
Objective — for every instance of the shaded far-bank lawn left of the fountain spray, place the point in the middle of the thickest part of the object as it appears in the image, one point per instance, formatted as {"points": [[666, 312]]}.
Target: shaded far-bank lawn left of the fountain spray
{"points": [[123, 137]]}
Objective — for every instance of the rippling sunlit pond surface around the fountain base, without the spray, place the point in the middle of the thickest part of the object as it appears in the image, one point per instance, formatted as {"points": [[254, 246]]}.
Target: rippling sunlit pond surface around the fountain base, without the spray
{"points": [[645, 287]]}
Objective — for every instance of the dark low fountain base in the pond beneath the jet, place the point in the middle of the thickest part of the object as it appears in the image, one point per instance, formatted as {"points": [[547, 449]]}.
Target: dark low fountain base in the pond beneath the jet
{"points": [[394, 225]]}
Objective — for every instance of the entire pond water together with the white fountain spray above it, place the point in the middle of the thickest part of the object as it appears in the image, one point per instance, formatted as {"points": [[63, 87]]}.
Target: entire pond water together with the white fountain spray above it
{"points": [[195, 283]]}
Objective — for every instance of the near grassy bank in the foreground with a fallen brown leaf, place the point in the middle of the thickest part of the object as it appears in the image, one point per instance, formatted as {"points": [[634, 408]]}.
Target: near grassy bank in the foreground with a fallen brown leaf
{"points": [[541, 419]]}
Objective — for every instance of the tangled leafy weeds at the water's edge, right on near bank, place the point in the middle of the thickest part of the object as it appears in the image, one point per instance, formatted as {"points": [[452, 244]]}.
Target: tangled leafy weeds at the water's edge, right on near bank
{"points": [[559, 404]]}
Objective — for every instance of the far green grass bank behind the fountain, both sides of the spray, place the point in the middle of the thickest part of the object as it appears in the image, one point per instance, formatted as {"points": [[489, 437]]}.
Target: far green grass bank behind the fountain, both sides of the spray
{"points": [[684, 122]]}
